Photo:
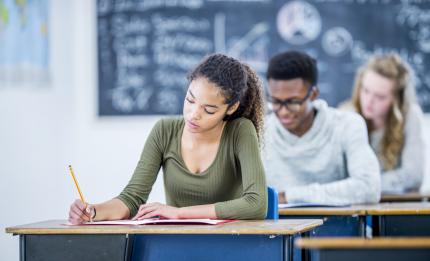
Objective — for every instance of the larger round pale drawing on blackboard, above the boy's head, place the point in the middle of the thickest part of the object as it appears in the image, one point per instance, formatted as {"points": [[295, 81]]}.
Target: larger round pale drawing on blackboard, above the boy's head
{"points": [[298, 22]]}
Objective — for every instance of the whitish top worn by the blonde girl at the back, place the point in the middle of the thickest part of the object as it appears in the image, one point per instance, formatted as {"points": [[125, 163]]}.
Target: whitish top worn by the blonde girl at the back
{"points": [[409, 172]]}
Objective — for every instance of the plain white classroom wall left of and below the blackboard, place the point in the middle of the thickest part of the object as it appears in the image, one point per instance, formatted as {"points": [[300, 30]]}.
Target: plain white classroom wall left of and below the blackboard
{"points": [[44, 130]]}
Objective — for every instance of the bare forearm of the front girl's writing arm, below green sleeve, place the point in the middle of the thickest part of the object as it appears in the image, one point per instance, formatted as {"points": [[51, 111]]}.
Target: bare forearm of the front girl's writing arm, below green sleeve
{"points": [[111, 210]]}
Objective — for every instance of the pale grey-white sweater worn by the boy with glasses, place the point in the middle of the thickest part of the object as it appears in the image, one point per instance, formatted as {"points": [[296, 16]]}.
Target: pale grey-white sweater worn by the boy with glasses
{"points": [[332, 163]]}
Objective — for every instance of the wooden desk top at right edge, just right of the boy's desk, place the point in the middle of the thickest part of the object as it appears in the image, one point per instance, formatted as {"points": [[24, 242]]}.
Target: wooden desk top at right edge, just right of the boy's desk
{"points": [[399, 208]]}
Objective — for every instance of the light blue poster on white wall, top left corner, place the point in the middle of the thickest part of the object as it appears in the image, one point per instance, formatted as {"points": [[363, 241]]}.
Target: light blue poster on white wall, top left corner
{"points": [[24, 43]]}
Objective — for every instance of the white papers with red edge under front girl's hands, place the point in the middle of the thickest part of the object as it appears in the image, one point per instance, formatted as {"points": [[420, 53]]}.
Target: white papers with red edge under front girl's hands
{"points": [[156, 221]]}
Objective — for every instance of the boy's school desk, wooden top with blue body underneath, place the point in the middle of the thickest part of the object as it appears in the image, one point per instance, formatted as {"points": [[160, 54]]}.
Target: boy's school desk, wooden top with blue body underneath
{"points": [[338, 221]]}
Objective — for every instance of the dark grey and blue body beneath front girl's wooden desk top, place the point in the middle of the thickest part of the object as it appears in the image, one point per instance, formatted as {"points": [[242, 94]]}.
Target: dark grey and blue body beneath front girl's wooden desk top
{"points": [[155, 247]]}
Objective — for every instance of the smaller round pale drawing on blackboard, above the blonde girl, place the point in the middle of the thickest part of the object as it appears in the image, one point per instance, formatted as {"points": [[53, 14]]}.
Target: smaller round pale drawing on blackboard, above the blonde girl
{"points": [[337, 41]]}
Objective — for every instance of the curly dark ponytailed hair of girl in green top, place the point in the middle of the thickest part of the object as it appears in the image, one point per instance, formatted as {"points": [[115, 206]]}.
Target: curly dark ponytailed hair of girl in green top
{"points": [[238, 82]]}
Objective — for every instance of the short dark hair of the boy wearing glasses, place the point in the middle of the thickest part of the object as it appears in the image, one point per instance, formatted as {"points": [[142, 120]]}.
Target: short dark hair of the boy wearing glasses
{"points": [[293, 64]]}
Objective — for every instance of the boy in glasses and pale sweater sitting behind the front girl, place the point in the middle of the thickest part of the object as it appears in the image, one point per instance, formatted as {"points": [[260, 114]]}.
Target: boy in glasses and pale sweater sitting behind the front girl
{"points": [[314, 153]]}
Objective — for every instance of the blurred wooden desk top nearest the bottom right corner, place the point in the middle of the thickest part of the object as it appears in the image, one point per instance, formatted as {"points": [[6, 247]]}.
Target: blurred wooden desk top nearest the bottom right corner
{"points": [[355, 242]]}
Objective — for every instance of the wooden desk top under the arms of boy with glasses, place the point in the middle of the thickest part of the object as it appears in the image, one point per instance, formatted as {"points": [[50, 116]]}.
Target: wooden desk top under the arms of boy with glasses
{"points": [[324, 211]]}
